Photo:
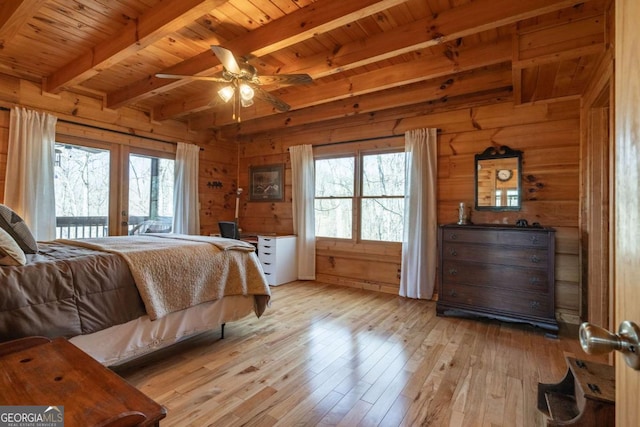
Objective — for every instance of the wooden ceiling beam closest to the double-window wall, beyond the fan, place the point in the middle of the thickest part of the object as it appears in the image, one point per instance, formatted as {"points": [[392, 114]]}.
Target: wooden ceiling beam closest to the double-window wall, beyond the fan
{"points": [[476, 81]]}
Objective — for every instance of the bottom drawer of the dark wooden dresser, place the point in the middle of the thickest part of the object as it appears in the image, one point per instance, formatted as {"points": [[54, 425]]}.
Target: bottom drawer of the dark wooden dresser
{"points": [[528, 304]]}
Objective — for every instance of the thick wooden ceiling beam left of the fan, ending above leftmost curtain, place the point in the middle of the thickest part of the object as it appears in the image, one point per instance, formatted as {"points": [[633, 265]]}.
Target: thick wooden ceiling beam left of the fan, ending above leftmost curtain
{"points": [[165, 18]]}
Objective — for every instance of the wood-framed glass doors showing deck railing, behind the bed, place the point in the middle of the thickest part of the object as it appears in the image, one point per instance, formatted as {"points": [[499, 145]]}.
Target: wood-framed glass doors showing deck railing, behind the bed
{"points": [[91, 195]]}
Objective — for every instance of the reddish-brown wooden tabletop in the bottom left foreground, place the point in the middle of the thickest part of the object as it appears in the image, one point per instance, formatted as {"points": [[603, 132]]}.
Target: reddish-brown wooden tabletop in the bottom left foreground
{"points": [[41, 372]]}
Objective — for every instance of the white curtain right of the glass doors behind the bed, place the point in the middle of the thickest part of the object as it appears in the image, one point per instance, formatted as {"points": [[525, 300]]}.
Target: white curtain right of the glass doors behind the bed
{"points": [[186, 211]]}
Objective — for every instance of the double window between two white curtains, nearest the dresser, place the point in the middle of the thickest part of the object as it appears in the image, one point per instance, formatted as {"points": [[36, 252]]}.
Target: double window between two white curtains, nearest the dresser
{"points": [[361, 196]]}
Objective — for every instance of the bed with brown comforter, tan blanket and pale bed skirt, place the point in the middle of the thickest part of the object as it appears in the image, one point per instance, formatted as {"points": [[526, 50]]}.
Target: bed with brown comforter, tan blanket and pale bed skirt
{"points": [[120, 297]]}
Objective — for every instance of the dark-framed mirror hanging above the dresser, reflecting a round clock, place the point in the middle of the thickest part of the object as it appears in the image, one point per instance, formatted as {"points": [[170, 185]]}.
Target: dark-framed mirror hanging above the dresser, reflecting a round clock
{"points": [[498, 179]]}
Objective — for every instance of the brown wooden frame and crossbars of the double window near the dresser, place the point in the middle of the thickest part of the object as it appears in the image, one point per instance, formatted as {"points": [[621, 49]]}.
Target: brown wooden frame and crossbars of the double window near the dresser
{"points": [[358, 155]]}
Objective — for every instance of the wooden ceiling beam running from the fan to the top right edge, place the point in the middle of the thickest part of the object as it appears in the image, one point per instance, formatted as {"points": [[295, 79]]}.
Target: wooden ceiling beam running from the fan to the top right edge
{"points": [[452, 24]]}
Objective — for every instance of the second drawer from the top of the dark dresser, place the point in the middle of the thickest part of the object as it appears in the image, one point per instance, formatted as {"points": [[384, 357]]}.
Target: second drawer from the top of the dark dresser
{"points": [[530, 257]]}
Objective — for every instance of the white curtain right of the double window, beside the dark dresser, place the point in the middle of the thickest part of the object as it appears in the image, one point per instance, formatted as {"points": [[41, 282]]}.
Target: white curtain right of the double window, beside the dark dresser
{"points": [[419, 244]]}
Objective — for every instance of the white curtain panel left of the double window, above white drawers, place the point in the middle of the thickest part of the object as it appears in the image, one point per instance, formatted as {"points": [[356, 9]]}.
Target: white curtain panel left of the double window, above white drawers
{"points": [[303, 177]]}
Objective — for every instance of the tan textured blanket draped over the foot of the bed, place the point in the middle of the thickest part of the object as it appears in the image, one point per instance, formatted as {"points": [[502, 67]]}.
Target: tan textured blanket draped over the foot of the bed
{"points": [[174, 272]]}
